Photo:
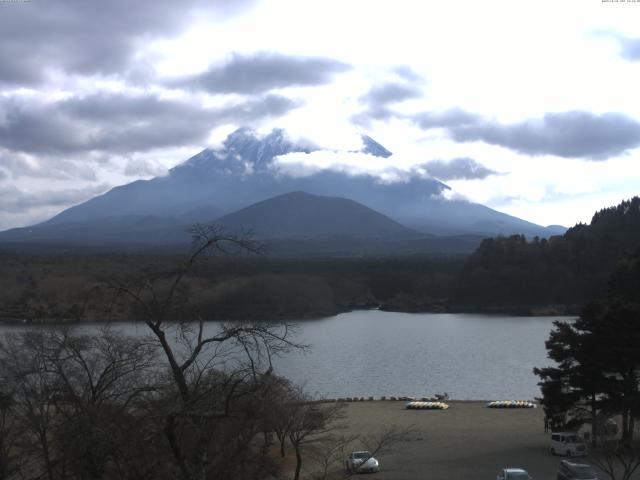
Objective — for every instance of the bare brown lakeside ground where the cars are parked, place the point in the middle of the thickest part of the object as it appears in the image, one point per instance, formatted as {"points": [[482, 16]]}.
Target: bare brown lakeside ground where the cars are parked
{"points": [[467, 441]]}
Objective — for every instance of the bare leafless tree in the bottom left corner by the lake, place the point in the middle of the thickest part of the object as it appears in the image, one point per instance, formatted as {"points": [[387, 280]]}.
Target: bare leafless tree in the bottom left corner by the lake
{"points": [[73, 397]]}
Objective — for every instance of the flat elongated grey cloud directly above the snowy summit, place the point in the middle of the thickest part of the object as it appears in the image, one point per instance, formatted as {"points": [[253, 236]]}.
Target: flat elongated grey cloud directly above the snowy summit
{"points": [[264, 71]]}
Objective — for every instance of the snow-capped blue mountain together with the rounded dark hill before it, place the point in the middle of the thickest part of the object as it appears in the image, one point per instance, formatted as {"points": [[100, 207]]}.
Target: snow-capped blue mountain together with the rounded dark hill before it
{"points": [[242, 185]]}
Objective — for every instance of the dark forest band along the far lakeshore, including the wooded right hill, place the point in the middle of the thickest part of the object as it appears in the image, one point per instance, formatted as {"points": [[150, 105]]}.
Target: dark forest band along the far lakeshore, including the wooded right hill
{"points": [[504, 275]]}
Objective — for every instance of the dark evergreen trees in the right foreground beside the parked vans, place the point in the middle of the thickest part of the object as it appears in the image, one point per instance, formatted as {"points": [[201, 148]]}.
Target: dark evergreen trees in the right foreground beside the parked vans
{"points": [[596, 376]]}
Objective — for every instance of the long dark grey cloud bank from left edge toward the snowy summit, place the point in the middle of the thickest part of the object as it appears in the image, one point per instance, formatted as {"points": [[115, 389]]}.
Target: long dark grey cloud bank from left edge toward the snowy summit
{"points": [[118, 123]]}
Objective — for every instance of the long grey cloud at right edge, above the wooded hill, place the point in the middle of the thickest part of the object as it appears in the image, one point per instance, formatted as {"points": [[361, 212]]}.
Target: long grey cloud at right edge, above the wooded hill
{"points": [[574, 134]]}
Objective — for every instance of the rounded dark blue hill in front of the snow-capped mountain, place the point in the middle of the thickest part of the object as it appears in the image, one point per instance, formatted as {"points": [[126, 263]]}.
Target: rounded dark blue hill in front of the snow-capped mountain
{"points": [[301, 224]]}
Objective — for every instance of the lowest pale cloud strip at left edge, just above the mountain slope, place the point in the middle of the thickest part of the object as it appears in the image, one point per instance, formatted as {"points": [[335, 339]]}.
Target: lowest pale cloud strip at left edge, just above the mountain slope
{"points": [[14, 200]]}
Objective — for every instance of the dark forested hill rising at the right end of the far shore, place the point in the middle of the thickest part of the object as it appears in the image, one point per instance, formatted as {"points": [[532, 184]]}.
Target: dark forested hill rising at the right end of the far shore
{"points": [[564, 270]]}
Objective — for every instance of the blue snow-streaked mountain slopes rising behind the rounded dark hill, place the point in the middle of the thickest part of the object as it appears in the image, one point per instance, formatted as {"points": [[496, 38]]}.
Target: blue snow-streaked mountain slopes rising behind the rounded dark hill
{"points": [[241, 172]]}
